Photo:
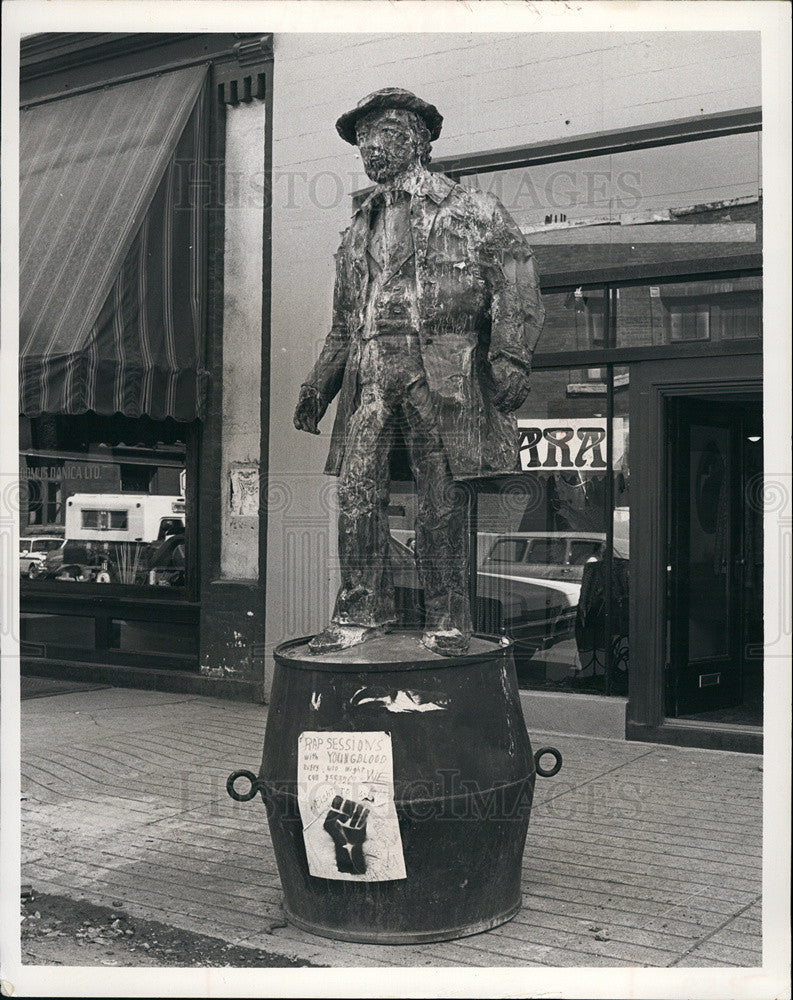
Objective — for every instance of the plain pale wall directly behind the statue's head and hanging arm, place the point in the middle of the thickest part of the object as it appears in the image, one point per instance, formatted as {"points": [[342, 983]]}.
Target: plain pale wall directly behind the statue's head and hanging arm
{"points": [[494, 91]]}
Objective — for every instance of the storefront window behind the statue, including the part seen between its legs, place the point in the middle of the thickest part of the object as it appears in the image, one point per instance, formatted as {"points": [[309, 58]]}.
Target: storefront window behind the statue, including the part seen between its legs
{"points": [[541, 532]]}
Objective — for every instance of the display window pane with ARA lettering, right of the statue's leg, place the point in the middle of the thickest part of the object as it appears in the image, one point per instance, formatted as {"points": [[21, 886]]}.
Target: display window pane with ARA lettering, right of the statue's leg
{"points": [[539, 531]]}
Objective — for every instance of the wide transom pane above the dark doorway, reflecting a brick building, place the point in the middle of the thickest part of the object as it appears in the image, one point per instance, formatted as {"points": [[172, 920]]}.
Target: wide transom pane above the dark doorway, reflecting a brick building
{"points": [[677, 312]]}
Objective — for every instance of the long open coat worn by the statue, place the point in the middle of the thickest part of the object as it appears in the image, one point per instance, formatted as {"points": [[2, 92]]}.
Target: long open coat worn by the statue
{"points": [[478, 298]]}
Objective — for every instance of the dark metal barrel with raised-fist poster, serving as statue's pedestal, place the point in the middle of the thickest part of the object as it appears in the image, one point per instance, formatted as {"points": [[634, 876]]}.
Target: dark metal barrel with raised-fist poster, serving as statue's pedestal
{"points": [[463, 783]]}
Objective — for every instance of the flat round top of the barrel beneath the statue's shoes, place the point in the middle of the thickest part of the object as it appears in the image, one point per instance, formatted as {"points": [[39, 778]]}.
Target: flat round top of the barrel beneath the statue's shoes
{"points": [[398, 650]]}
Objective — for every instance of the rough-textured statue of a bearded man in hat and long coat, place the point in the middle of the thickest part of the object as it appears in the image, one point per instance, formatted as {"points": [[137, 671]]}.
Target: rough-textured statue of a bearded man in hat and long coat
{"points": [[436, 314]]}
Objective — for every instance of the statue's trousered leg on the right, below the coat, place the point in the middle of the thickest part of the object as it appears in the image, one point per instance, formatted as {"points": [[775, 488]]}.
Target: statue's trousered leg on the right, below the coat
{"points": [[441, 529]]}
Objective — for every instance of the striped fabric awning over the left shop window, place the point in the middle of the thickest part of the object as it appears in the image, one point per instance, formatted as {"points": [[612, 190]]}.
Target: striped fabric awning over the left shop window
{"points": [[112, 250]]}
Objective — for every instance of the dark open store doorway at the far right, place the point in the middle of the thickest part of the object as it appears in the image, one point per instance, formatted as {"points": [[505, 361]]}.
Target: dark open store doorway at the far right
{"points": [[715, 560]]}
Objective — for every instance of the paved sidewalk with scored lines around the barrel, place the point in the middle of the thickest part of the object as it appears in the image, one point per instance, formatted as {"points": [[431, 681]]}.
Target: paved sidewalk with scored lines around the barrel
{"points": [[637, 854]]}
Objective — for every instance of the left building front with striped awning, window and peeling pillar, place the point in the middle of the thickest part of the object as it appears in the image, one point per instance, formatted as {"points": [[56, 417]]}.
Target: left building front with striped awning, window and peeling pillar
{"points": [[143, 329]]}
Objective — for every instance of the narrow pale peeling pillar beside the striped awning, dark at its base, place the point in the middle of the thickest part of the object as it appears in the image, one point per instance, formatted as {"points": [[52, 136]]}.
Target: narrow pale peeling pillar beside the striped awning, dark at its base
{"points": [[232, 604]]}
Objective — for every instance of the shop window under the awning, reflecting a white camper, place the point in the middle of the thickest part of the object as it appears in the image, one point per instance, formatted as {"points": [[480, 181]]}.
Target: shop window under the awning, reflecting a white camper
{"points": [[104, 502]]}
